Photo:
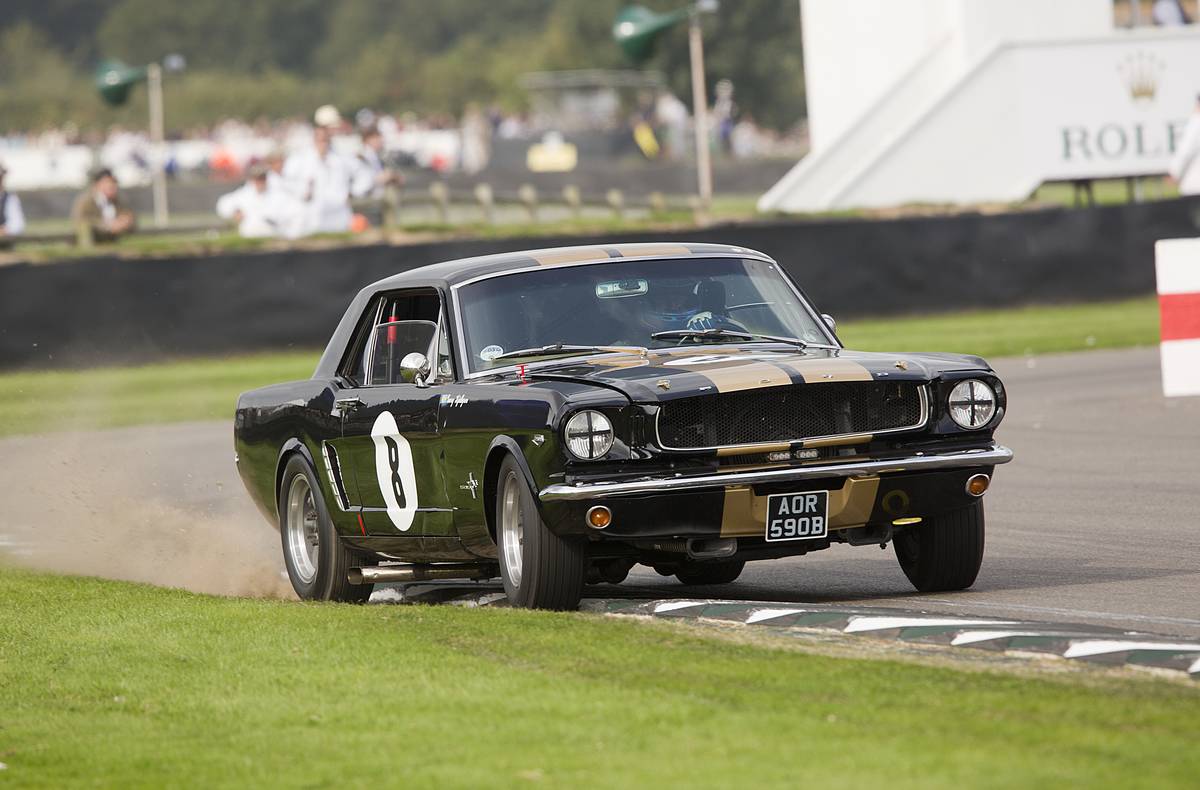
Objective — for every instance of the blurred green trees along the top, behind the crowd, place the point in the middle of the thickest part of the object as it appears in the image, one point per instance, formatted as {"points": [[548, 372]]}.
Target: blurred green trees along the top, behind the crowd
{"points": [[280, 58]]}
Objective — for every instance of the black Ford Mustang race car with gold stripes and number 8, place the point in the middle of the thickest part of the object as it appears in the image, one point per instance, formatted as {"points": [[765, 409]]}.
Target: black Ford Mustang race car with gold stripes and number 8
{"points": [[556, 417]]}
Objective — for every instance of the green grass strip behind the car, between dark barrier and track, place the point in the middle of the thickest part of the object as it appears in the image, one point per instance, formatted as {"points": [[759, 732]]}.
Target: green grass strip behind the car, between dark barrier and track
{"points": [[197, 390]]}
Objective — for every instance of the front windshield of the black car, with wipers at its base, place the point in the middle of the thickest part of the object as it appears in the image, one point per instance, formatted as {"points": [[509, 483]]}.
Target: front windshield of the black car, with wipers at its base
{"points": [[626, 304]]}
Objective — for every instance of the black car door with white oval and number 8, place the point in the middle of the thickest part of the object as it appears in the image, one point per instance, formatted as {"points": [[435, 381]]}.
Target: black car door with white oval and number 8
{"points": [[391, 447]]}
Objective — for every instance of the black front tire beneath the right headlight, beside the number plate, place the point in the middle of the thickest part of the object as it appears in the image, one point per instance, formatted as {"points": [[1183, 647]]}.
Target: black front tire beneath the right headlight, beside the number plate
{"points": [[944, 554]]}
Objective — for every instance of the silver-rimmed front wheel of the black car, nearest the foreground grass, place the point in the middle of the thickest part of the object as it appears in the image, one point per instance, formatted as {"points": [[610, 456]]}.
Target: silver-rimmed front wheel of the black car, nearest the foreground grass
{"points": [[539, 570]]}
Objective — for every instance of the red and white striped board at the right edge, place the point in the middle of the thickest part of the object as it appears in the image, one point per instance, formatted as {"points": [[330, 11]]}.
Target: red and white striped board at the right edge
{"points": [[1178, 264]]}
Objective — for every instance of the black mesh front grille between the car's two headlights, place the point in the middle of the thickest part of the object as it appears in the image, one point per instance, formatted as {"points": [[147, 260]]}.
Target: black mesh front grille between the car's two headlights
{"points": [[790, 414]]}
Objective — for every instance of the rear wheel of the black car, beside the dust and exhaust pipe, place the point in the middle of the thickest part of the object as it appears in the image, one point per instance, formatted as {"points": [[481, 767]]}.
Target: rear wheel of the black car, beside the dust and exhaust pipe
{"points": [[316, 559]]}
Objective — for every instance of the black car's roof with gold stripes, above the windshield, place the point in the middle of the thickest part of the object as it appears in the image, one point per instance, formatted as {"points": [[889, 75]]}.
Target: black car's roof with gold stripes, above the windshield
{"points": [[457, 272]]}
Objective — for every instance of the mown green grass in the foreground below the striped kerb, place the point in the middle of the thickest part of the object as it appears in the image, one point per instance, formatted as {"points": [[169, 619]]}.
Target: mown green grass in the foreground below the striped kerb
{"points": [[117, 685]]}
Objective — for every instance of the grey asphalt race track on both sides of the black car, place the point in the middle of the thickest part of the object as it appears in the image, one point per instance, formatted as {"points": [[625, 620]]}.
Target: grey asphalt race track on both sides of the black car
{"points": [[1096, 522]]}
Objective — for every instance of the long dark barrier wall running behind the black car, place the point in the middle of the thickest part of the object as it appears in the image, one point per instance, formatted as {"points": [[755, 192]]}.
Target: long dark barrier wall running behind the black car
{"points": [[111, 310]]}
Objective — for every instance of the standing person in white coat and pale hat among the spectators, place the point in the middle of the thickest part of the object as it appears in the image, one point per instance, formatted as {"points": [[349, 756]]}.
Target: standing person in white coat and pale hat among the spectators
{"points": [[325, 182]]}
